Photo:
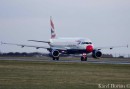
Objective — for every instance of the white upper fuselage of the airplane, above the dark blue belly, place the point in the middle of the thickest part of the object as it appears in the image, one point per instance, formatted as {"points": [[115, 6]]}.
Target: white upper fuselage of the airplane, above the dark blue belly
{"points": [[70, 43]]}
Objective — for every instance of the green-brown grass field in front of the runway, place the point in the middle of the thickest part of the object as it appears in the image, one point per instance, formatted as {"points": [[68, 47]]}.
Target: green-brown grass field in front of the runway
{"points": [[54, 75]]}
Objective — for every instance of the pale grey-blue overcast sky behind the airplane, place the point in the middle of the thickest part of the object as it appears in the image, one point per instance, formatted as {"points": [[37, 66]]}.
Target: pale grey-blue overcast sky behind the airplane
{"points": [[105, 22]]}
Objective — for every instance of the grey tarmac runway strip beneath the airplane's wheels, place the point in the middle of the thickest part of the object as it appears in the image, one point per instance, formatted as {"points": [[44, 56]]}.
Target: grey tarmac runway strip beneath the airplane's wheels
{"points": [[71, 60]]}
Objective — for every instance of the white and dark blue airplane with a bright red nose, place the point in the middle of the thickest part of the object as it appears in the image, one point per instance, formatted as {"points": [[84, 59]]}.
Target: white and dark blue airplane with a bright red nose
{"points": [[68, 45]]}
